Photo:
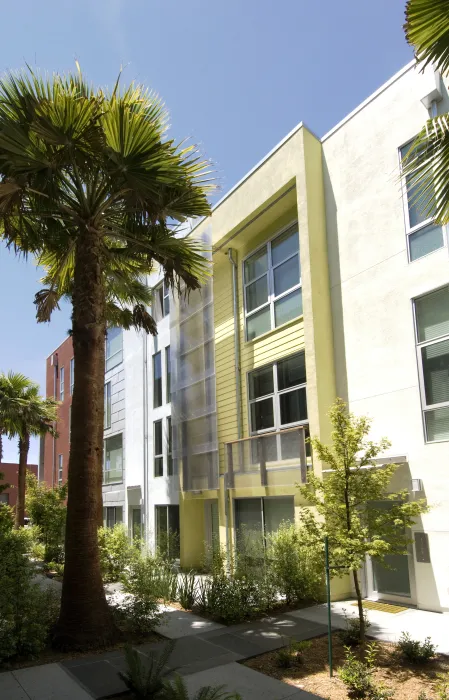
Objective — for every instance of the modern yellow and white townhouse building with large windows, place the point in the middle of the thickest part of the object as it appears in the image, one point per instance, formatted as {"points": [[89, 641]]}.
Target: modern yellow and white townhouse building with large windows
{"points": [[326, 282]]}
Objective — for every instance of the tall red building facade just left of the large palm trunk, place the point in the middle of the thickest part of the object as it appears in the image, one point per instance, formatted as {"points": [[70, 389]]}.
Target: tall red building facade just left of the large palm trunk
{"points": [[59, 383]]}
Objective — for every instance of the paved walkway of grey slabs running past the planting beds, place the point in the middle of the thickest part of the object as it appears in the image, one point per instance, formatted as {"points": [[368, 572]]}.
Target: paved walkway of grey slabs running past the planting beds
{"points": [[207, 653]]}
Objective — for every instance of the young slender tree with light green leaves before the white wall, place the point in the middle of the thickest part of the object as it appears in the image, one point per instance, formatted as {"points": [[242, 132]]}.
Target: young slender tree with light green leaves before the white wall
{"points": [[349, 500]]}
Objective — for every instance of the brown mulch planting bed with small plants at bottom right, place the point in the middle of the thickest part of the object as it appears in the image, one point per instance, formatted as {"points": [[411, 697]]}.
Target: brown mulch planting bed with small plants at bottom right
{"points": [[312, 672]]}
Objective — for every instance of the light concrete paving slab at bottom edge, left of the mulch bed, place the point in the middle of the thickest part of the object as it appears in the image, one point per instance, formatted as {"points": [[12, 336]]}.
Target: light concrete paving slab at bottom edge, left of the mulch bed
{"points": [[251, 684]]}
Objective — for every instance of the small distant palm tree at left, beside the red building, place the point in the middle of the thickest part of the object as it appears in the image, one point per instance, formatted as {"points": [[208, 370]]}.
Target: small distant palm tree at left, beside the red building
{"points": [[36, 417]]}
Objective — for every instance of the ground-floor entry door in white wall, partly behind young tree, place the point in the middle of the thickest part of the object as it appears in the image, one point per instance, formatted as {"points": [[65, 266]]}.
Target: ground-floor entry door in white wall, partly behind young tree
{"points": [[390, 582]]}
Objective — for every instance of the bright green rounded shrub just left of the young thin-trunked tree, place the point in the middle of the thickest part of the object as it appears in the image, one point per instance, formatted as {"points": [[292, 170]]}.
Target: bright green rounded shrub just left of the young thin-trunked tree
{"points": [[297, 564]]}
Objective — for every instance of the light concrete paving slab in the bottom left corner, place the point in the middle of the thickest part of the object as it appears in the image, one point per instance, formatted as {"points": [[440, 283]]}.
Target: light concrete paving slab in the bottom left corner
{"points": [[49, 682]]}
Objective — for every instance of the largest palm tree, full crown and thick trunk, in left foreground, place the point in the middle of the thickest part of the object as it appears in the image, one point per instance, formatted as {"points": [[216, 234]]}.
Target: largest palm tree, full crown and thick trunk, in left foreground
{"points": [[90, 181]]}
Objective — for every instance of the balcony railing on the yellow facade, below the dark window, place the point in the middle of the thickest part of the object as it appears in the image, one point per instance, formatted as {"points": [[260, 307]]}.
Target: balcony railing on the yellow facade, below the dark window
{"points": [[278, 458]]}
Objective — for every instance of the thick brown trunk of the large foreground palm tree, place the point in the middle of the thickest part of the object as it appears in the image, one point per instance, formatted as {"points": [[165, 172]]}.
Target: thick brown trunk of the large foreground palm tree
{"points": [[85, 620]]}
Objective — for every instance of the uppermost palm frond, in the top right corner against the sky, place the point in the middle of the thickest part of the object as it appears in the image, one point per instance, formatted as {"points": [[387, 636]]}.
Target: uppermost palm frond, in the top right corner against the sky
{"points": [[427, 30]]}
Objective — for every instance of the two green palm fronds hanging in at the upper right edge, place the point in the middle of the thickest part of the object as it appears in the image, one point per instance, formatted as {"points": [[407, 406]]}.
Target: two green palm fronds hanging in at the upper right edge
{"points": [[427, 162]]}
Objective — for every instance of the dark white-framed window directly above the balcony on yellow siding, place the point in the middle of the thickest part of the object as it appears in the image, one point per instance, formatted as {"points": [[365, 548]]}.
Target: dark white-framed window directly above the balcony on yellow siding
{"points": [[277, 394]]}
